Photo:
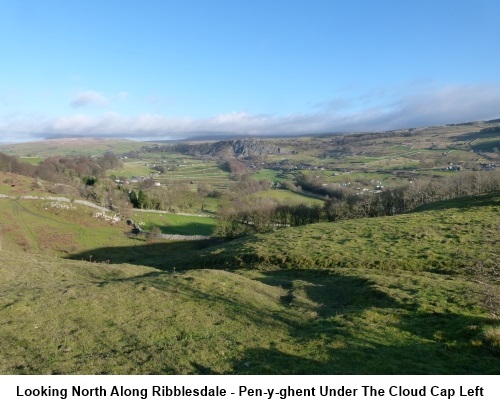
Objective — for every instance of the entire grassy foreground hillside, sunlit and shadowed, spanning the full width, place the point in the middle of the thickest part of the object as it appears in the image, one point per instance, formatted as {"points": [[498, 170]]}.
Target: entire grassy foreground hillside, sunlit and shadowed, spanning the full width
{"points": [[376, 296]]}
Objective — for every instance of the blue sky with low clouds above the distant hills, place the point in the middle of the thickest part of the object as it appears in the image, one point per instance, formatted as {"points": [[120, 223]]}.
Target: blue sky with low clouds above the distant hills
{"points": [[170, 69]]}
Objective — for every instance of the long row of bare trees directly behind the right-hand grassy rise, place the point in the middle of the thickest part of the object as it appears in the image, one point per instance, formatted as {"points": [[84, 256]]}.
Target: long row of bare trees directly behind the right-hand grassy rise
{"points": [[238, 216]]}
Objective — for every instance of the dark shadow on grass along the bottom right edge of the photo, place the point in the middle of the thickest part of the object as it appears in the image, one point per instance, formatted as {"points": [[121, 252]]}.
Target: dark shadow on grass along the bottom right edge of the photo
{"points": [[368, 358]]}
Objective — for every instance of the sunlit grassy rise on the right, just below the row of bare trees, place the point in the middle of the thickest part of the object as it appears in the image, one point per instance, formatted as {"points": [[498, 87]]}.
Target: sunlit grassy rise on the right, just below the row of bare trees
{"points": [[443, 237]]}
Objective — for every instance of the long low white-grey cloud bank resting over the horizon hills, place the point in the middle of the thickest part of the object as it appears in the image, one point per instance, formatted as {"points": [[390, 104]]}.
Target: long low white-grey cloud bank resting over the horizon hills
{"points": [[447, 105]]}
